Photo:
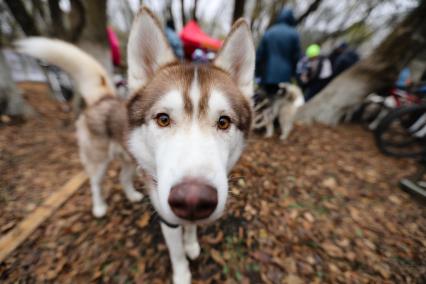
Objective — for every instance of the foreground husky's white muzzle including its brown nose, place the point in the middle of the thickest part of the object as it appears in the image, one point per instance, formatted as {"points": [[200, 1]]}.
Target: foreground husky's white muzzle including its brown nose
{"points": [[192, 177]]}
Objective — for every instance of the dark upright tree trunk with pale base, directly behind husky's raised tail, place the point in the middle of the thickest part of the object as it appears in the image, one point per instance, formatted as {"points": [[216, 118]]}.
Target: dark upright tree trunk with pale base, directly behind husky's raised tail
{"points": [[94, 37]]}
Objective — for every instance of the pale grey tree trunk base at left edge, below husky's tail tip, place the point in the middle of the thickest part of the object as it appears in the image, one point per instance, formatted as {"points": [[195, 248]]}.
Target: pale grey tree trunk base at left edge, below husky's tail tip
{"points": [[11, 99]]}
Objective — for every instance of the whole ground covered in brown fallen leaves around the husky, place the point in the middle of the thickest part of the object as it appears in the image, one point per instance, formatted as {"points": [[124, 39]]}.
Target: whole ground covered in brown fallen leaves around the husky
{"points": [[323, 206]]}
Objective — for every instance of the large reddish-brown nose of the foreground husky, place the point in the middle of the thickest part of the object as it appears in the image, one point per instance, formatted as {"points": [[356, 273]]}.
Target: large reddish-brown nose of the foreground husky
{"points": [[193, 199]]}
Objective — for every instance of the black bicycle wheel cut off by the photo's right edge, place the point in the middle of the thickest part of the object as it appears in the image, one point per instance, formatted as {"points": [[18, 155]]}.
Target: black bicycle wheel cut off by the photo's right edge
{"points": [[398, 133]]}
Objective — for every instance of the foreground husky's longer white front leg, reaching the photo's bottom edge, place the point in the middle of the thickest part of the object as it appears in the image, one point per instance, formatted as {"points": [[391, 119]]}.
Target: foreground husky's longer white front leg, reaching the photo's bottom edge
{"points": [[180, 265]]}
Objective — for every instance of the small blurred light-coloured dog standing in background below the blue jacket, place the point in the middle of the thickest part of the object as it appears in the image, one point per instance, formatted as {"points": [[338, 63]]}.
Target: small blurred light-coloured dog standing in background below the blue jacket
{"points": [[283, 105]]}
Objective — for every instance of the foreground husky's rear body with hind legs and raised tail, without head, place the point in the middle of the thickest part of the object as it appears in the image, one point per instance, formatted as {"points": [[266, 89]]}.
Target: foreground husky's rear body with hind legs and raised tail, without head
{"points": [[101, 129]]}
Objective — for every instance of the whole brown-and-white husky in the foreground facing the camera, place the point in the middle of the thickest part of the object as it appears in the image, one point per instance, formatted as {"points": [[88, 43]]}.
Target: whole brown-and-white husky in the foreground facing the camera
{"points": [[184, 125]]}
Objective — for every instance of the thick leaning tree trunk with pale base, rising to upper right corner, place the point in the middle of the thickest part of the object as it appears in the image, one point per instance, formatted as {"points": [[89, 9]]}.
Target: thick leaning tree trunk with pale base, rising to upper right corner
{"points": [[377, 71]]}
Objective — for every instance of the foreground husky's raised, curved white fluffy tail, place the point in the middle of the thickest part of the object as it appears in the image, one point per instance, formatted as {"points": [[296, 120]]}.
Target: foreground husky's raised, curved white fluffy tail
{"points": [[91, 79]]}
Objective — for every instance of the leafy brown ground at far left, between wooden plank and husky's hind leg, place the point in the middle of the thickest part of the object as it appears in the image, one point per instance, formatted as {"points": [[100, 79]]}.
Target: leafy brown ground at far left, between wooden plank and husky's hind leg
{"points": [[36, 157]]}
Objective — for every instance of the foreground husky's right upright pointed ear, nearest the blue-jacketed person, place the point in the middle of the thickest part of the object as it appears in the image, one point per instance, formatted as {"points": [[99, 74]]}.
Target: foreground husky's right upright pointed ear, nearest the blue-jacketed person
{"points": [[237, 56]]}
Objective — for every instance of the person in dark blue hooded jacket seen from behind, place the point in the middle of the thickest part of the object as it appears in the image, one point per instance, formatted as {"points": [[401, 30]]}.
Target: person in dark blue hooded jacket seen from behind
{"points": [[278, 53]]}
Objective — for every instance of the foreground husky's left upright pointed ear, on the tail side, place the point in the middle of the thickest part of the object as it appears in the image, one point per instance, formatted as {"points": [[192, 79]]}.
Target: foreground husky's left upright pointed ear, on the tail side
{"points": [[147, 49]]}
